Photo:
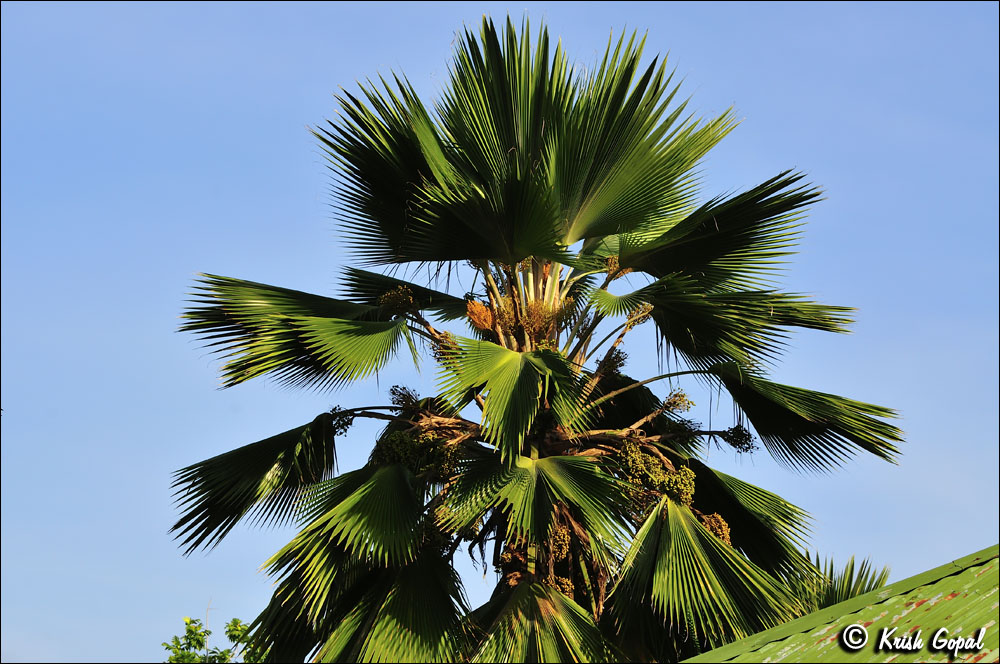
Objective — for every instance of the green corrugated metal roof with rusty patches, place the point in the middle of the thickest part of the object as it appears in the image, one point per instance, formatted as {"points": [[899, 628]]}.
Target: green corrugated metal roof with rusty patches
{"points": [[960, 596]]}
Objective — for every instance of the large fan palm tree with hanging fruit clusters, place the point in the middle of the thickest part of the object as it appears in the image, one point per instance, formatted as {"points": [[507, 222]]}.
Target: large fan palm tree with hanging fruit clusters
{"points": [[545, 185]]}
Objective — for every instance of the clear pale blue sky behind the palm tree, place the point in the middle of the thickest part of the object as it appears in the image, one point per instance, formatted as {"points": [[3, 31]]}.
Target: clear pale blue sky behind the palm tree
{"points": [[143, 143]]}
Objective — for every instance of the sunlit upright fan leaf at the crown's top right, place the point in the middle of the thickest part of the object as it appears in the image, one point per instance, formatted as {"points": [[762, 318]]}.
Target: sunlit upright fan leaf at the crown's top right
{"points": [[621, 163]]}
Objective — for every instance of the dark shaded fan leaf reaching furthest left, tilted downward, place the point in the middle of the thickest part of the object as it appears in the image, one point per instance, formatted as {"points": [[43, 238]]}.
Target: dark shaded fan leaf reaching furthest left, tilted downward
{"points": [[265, 480]]}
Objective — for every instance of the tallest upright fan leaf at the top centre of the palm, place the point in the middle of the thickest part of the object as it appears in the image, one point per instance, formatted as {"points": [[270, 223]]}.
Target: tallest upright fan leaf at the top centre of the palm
{"points": [[504, 100]]}
